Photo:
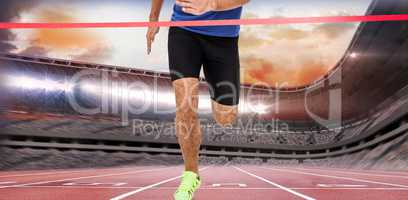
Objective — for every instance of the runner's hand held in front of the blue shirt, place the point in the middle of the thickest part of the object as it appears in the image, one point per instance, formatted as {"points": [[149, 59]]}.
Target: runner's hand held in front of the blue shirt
{"points": [[197, 7]]}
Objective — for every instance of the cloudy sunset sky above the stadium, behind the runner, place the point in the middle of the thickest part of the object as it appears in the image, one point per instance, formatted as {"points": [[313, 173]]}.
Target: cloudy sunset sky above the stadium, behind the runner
{"points": [[288, 55]]}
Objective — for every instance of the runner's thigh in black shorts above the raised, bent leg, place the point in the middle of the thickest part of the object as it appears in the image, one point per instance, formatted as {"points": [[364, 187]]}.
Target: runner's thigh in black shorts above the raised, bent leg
{"points": [[222, 69]]}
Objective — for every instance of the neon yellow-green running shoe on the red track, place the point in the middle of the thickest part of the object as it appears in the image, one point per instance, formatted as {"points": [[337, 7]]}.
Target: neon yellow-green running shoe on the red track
{"points": [[190, 182]]}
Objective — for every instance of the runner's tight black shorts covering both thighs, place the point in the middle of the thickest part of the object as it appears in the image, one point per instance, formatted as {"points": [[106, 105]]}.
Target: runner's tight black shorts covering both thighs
{"points": [[219, 57]]}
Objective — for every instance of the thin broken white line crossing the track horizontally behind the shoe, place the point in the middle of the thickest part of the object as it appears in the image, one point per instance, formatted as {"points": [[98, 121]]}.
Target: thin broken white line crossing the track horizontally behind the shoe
{"points": [[214, 188]]}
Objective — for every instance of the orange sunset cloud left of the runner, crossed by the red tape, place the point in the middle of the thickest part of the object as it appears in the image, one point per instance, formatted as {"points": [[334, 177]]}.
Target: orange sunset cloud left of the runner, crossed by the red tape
{"points": [[79, 44]]}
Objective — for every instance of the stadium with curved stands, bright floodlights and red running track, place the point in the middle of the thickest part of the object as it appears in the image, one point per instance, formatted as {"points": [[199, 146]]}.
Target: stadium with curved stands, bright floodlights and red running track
{"points": [[78, 130]]}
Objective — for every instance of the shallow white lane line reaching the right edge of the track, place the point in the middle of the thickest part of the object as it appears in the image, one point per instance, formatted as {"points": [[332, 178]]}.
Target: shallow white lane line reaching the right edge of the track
{"points": [[339, 177]]}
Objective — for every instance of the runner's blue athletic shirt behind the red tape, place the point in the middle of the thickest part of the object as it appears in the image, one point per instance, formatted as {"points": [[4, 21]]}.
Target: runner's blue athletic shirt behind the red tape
{"points": [[220, 31]]}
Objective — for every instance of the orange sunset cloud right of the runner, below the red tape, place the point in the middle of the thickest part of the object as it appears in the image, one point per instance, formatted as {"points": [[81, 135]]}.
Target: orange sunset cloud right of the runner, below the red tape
{"points": [[291, 56]]}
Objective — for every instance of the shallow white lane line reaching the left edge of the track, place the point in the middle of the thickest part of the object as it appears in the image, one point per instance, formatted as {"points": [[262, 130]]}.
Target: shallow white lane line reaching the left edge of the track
{"points": [[83, 177]]}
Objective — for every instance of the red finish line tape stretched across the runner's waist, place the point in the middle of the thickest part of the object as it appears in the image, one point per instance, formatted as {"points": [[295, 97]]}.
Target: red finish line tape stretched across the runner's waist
{"points": [[262, 21]]}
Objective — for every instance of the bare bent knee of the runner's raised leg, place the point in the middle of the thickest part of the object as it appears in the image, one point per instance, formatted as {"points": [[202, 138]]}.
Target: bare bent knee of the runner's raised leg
{"points": [[224, 115]]}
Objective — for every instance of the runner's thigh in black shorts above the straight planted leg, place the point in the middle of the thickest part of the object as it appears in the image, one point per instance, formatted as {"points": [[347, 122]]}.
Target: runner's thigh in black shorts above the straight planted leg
{"points": [[185, 54]]}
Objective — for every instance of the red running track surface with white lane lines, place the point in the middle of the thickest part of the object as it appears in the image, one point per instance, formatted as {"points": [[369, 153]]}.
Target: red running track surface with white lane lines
{"points": [[238, 183]]}
